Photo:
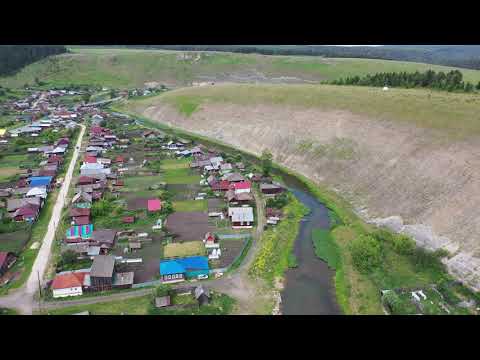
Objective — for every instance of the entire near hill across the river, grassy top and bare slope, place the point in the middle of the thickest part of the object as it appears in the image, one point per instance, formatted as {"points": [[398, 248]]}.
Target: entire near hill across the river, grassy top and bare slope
{"points": [[406, 154]]}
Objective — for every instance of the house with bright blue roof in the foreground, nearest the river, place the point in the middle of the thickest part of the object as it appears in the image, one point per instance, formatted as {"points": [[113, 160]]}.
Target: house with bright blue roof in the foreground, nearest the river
{"points": [[193, 267]]}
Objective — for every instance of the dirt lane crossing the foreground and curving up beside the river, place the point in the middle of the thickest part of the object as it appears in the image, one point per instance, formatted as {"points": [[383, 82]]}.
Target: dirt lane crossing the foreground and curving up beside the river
{"points": [[236, 284]]}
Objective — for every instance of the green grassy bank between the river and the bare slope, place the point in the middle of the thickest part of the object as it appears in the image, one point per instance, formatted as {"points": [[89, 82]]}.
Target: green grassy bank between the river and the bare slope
{"points": [[356, 292]]}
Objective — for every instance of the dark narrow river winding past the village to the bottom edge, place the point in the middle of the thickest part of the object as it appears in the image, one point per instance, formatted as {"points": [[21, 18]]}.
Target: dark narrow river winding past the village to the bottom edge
{"points": [[309, 288]]}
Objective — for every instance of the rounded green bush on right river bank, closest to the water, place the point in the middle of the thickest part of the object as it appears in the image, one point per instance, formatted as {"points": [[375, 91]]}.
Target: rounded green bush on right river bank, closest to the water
{"points": [[366, 253]]}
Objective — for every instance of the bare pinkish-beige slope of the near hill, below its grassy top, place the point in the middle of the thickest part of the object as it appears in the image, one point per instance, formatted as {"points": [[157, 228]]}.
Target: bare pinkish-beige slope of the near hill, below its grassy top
{"points": [[408, 178]]}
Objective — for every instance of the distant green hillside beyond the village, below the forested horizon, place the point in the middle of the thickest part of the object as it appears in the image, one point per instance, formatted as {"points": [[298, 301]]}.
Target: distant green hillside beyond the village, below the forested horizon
{"points": [[126, 68]]}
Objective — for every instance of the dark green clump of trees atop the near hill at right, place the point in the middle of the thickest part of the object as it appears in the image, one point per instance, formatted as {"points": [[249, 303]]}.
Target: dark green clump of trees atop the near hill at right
{"points": [[450, 81]]}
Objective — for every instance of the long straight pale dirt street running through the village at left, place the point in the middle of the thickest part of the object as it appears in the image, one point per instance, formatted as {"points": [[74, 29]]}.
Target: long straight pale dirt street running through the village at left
{"points": [[23, 298]]}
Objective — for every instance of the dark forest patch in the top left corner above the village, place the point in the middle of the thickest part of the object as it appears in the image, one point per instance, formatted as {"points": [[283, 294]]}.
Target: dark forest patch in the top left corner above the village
{"points": [[14, 57]]}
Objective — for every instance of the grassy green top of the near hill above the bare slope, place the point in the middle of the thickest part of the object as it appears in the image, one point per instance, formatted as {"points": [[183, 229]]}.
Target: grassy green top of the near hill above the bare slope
{"points": [[454, 113]]}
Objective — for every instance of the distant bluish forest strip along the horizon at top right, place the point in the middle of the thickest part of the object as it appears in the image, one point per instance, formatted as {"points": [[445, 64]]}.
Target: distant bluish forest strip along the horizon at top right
{"points": [[465, 56]]}
